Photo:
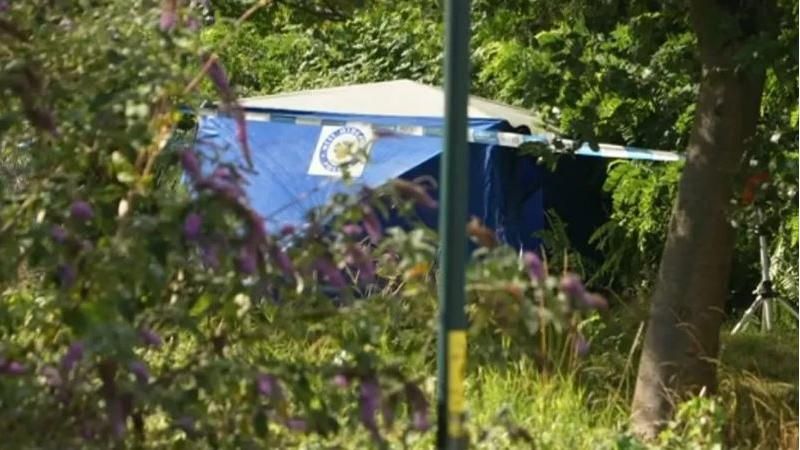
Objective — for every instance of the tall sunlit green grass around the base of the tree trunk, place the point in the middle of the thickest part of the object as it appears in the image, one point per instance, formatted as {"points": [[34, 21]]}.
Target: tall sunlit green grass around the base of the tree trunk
{"points": [[513, 405]]}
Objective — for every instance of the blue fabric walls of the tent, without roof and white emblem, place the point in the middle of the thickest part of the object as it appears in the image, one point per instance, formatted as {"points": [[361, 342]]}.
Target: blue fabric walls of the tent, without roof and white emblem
{"points": [[504, 187]]}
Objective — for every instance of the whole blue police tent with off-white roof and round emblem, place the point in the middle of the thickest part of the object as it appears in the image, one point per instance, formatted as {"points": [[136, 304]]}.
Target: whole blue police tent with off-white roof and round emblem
{"points": [[299, 141]]}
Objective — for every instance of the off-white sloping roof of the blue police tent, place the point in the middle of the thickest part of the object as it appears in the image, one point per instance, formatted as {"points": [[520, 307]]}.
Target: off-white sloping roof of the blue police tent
{"points": [[389, 98]]}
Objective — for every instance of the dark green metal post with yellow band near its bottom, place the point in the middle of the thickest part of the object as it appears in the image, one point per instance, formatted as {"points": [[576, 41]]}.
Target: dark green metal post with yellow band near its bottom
{"points": [[452, 229]]}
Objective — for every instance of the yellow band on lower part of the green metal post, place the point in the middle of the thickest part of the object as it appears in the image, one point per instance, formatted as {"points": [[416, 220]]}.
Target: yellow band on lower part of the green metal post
{"points": [[457, 360]]}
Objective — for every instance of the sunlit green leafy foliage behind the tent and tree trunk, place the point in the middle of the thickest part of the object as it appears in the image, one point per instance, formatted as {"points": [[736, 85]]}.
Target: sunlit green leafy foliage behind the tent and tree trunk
{"points": [[625, 72]]}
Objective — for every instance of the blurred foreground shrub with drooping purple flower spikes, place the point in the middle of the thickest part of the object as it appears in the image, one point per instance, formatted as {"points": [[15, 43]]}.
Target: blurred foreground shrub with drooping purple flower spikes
{"points": [[146, 304]]}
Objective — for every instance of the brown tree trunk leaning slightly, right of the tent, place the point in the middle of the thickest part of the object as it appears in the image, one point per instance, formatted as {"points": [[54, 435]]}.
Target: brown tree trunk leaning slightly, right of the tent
{"points": [[682, 340]]}
